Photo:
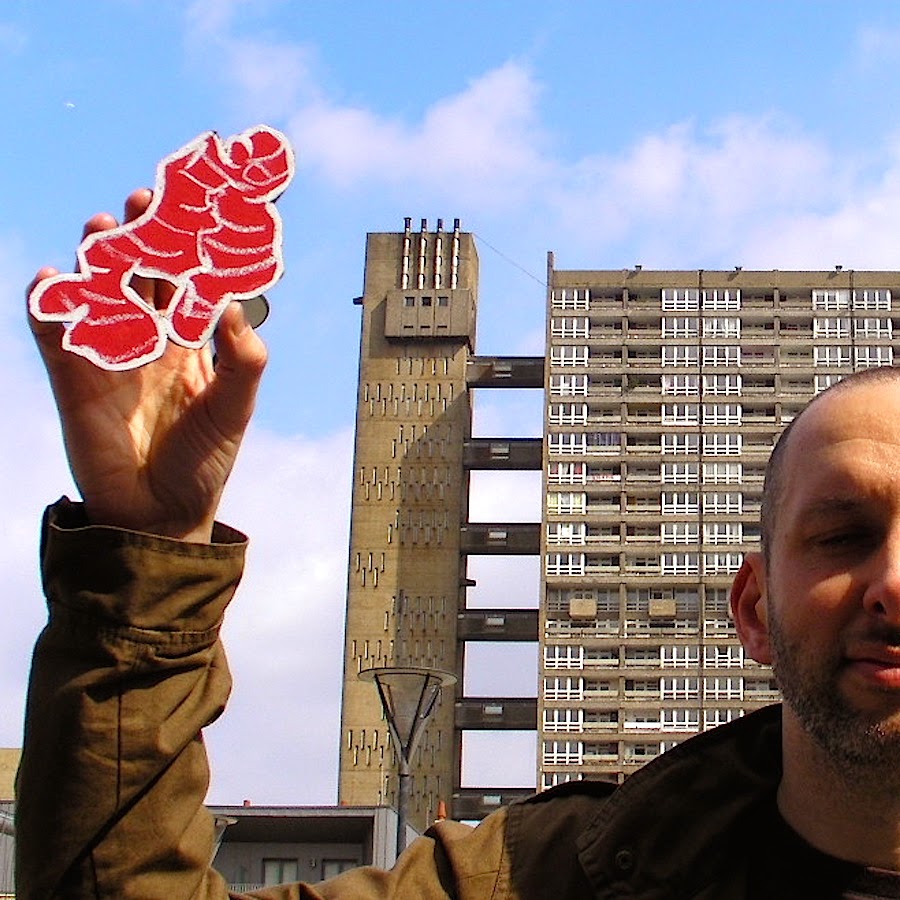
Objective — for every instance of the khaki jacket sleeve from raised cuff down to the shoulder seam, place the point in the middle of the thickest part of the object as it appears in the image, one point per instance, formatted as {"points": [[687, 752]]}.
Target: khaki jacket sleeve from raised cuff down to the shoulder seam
{"points": [[127, 672]]}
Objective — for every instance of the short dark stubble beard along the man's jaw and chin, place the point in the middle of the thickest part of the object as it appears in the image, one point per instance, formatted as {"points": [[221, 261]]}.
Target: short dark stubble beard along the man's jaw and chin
{"points": [[852, 740]]}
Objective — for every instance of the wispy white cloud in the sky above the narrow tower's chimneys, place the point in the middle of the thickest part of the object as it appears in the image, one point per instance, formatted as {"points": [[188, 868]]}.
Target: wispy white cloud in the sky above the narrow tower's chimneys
{"points": [[481, 143]]}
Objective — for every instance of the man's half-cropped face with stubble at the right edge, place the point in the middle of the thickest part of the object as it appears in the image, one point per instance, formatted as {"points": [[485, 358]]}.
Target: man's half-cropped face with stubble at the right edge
{"points": [[833, 576]]}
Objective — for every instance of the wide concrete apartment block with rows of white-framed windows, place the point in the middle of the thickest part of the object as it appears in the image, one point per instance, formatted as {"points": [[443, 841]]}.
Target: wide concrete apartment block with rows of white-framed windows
{"points": [[665, 392]]}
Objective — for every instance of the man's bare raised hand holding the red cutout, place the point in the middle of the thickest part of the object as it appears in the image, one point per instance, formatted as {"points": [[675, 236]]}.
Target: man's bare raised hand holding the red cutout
{"points": [[151, 448]]}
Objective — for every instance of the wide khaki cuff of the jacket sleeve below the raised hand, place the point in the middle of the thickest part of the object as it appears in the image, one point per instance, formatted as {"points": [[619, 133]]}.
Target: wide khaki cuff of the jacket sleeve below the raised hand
{"points": [[131, 579]]}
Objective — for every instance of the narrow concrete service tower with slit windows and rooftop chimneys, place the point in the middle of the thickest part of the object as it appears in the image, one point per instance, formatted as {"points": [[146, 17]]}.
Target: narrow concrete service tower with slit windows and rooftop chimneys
{"points": [[410, 493]]}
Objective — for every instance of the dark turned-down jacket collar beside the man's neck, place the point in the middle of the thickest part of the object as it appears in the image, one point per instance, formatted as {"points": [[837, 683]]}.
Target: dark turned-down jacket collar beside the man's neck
{"points": [[673, 827]]}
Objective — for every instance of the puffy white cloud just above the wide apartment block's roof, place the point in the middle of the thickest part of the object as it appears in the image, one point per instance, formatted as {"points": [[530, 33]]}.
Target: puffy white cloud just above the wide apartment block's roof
{"points": [[683, 196]]}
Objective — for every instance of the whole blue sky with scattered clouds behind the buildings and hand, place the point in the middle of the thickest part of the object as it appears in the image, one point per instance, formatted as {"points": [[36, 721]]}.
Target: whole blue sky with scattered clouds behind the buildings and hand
{"points": [[692, 134]]}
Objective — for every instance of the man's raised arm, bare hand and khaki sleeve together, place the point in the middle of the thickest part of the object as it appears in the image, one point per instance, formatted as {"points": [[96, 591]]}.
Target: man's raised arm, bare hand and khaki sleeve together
{"points": [[130, 668]]}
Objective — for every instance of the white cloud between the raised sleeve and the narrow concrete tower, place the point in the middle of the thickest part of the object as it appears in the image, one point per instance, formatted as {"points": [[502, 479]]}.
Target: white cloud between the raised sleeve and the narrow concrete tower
{"points": [[284, 631]]}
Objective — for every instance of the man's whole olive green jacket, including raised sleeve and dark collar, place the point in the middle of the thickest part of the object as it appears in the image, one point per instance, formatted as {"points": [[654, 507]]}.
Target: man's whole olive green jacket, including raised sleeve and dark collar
{"points": [[114, 773]]}
